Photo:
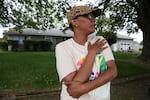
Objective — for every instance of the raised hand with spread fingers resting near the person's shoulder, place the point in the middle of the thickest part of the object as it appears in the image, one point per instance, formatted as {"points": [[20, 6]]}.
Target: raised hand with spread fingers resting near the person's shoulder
{"points": [[98, 46]]}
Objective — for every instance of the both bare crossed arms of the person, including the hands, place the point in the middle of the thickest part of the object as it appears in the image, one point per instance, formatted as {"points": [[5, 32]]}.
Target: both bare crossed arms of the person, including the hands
{"points": [[80, 78]]}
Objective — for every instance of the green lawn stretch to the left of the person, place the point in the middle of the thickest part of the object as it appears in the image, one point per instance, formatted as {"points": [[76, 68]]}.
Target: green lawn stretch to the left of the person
{"points": [[28, 70]]}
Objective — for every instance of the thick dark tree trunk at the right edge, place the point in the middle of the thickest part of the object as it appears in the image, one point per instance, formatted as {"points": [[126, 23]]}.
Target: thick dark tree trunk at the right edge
{"points": [[144, 24]]}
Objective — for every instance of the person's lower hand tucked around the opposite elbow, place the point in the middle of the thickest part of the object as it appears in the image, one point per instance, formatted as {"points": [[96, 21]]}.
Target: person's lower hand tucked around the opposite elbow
{"points": [[74, 88]]}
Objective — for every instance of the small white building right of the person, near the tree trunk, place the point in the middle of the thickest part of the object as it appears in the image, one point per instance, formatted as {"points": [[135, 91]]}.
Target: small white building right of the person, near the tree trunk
{"points": [[125, 43]]}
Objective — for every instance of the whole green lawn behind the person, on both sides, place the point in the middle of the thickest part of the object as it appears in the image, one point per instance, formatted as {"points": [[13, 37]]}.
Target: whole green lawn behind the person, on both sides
{"points": [[37, 70]]}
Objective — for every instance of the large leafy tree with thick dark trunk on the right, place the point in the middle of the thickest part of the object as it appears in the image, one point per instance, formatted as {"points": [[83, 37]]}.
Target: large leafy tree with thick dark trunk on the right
{"points": [[131, 15]]}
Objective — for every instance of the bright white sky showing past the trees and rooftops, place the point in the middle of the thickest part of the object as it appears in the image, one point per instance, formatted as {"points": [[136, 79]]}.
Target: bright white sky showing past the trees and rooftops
{"points": [[137, 36]]}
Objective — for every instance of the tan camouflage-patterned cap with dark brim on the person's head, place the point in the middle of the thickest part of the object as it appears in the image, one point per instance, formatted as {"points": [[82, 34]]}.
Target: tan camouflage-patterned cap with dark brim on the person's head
{"points": [[82, 10]]}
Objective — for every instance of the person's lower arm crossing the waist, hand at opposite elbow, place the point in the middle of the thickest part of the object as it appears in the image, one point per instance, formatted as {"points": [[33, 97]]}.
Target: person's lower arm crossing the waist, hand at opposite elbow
{"points": [[85, 87]]}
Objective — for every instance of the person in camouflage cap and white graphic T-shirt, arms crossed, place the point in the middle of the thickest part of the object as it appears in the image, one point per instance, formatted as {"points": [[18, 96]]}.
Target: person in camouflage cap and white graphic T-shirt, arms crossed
{"points": [[85, 64]]}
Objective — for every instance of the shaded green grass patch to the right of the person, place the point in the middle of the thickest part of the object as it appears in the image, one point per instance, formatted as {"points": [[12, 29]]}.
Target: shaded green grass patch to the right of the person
{"points": [[128, 64]]}
